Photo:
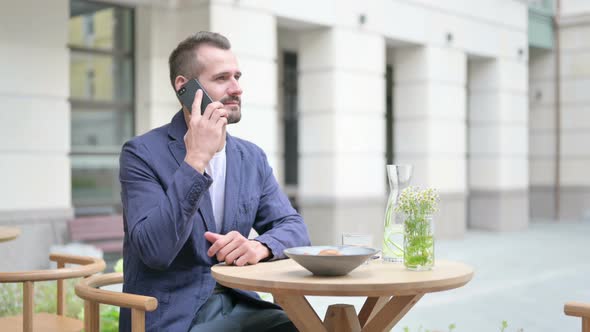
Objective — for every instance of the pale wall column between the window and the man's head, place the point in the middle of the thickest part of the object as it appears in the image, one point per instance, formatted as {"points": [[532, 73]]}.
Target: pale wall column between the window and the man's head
{"points": [[159, 27]]}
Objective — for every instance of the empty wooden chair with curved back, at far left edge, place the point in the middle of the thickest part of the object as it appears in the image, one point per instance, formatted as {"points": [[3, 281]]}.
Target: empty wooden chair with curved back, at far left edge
{"points": [[47, 321]]}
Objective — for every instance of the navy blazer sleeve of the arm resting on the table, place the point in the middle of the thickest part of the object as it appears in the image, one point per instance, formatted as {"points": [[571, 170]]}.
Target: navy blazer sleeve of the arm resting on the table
{"points": [[278, 223]]}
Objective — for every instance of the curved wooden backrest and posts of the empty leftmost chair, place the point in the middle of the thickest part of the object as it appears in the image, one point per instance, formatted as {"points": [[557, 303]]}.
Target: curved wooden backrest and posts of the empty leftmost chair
{"points": [[86, 266]]}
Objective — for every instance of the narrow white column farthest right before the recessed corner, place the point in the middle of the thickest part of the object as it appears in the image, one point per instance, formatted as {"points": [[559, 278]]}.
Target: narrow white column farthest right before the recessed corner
{"points": [[498, 147]]}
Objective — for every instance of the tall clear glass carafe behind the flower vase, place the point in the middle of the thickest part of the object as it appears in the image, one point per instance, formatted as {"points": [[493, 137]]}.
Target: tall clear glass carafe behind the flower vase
{"points": [[399, 177]]}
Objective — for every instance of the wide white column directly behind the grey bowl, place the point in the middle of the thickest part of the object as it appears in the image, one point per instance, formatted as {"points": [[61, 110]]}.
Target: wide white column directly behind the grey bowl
{"points": [[342, 106]]}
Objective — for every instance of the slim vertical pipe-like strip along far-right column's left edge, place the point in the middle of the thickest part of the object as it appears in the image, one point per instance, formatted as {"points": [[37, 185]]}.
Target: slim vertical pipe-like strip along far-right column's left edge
{"points": [[557, 189]]}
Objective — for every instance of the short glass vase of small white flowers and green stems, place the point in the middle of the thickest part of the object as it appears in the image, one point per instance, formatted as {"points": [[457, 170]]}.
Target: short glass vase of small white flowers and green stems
{"points": [[418, 206]]}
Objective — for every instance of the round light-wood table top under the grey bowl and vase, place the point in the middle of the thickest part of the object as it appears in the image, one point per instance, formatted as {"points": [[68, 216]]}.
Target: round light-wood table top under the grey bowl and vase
{"points": [[377, 278]]}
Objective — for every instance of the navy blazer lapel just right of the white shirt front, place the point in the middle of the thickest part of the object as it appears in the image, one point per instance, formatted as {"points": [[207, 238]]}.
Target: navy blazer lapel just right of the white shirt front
{"points": [[233, 184]]}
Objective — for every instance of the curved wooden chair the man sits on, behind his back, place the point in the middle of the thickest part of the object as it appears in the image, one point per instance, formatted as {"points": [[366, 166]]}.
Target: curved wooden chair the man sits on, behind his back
{"points": [[89, 290]]}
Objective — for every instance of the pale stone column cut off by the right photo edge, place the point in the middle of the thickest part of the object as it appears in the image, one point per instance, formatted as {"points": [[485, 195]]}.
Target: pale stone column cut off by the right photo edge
{"points": [[574, 110]]}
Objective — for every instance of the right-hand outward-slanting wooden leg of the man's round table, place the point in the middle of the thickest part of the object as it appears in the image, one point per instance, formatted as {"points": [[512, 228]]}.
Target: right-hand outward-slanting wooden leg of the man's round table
{"points": [[391, 313]]}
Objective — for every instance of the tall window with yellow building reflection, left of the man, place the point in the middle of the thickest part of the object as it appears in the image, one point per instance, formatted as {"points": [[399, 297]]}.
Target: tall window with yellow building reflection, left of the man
{"points": [[102, 100]]}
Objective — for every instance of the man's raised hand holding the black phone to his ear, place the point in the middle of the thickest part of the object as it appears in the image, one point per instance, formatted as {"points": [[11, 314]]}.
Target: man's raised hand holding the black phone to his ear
{"points": [[205, 132]]}
